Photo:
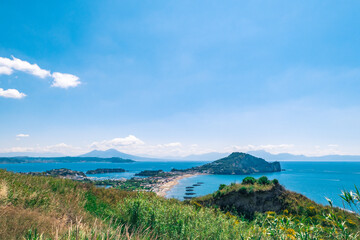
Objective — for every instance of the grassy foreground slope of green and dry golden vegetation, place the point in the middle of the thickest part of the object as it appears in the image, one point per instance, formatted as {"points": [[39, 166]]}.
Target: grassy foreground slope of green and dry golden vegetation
{"points": [[39, 207]]}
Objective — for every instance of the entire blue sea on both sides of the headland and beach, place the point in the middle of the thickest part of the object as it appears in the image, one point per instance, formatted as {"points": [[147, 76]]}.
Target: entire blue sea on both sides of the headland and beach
{"points": [[316, 180]]}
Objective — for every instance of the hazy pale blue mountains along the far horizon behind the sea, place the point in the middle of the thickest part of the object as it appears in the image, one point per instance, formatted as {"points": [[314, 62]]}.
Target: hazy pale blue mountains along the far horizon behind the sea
{"points": [[200, 157]]}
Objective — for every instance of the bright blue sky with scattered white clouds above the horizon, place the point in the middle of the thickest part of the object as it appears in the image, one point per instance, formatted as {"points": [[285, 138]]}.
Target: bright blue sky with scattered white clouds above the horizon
{"points": [[174, 78]]}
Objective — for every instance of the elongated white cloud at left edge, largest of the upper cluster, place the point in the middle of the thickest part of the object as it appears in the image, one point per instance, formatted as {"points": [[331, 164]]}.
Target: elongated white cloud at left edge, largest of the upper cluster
{"points": [[24, 66]]}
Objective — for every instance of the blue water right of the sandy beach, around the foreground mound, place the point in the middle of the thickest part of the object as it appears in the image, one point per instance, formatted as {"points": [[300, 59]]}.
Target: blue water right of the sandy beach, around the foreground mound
{"points": [[316, 180]]}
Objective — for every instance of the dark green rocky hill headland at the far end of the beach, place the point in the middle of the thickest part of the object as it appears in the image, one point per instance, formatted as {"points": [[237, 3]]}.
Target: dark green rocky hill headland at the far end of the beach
{"points": [[238, 164]]}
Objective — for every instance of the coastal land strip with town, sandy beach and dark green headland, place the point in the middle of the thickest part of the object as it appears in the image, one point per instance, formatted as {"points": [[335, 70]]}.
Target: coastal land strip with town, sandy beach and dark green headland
{"points": [[160, 182]]}
